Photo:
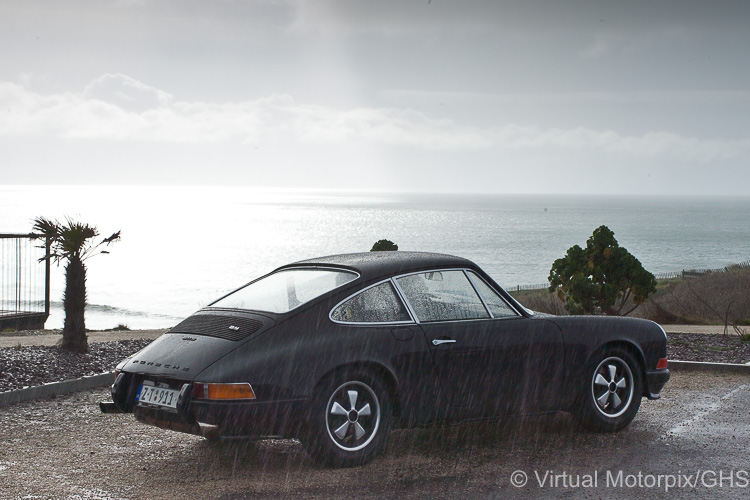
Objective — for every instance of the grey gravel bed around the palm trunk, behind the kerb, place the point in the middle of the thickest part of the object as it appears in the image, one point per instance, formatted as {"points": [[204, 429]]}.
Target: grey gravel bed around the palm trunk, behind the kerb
{"points": [[36, 365]]}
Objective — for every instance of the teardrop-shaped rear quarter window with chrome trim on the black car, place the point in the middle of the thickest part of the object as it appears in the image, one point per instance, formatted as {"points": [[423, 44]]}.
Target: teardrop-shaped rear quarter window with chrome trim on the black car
{"points": [[378, 304]]}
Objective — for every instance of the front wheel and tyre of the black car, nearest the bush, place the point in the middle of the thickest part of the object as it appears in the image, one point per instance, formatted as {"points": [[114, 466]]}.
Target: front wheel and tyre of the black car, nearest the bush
{"points": [[612, 392]]}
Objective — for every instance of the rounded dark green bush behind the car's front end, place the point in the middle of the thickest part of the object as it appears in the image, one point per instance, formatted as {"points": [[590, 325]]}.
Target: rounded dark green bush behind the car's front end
{"points": [[602, 277]]}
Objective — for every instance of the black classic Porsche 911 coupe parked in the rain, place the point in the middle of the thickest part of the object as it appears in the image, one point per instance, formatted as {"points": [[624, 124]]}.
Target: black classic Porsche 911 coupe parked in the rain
{"points": [[335, 351]]}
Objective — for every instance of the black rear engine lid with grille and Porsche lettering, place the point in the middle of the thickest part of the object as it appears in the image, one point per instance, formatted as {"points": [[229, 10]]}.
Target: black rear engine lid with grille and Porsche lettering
{"points": [[196, 343]]}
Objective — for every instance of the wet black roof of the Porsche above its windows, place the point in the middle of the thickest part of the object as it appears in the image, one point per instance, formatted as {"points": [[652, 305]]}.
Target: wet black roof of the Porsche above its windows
{"points": [[373, 265]]}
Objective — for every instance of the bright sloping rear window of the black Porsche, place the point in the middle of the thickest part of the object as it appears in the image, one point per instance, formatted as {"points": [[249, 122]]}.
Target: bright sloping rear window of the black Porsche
{"points": [[282, 291]]}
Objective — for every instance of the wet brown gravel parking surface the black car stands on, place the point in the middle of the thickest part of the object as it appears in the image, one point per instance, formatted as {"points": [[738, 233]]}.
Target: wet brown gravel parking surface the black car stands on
{"points": [[65, 448]]}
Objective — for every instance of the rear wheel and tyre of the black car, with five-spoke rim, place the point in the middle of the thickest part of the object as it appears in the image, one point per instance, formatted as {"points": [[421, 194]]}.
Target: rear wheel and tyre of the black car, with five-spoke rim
{"points": [[349, 420]]}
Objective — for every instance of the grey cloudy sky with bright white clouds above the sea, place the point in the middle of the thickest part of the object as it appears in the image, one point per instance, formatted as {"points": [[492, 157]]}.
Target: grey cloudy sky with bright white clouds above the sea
{"points": [[570, 97]]}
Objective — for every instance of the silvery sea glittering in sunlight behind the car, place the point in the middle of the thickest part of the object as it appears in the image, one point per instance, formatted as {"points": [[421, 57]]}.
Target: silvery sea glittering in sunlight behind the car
{"points": [[183, 247]]}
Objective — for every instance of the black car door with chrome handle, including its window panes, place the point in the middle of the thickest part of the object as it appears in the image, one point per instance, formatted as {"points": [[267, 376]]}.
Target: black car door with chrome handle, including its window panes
{"points": [[488, 357]]}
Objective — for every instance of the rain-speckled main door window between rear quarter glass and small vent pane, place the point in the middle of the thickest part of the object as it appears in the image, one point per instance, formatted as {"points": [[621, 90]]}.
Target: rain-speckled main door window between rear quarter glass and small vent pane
{"points": [[442, 296]]}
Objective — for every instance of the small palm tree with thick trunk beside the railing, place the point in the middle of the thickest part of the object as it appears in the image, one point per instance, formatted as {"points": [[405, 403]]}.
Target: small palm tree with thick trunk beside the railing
{"points": [[73, 242]]}
